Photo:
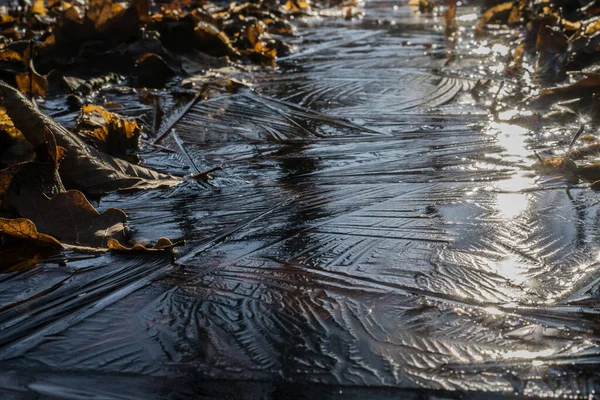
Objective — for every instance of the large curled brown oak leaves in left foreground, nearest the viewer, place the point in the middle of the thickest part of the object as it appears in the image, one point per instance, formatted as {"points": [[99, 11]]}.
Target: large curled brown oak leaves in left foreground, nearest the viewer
{"points": [[47, 170]]}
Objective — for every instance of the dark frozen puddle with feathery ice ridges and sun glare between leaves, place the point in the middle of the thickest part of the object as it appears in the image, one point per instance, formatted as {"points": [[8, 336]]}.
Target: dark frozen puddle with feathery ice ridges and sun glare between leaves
{"points": [[373, 234]]}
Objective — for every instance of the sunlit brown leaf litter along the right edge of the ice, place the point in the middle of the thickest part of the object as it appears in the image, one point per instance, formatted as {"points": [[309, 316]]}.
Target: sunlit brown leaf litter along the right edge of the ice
{"points": [[556, 62]]}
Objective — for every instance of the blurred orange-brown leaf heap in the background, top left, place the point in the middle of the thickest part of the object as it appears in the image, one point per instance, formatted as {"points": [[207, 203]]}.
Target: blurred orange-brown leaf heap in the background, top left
{"points": [[145, 40]]}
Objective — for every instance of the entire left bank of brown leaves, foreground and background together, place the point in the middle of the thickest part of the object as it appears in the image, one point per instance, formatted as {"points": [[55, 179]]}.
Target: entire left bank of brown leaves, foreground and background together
{"points": [[75, 48]]}
